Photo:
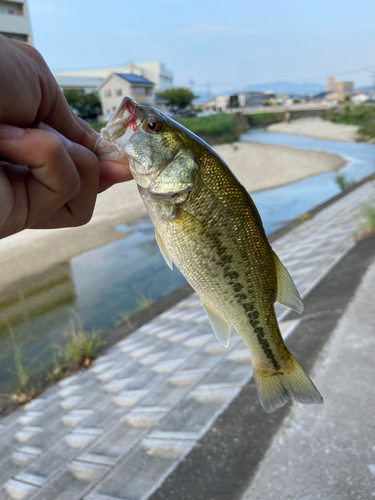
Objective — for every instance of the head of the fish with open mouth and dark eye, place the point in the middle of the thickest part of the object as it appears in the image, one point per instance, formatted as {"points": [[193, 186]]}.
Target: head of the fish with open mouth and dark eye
{"points": [[144, 136]]}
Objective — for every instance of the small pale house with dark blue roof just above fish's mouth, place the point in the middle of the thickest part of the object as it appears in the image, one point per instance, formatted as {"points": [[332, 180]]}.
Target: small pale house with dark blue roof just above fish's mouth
{"points": [[118, 85]]}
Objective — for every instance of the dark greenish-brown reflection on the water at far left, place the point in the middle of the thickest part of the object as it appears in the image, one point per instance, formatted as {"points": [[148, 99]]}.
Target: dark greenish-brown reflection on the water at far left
{"points": [[38, 311]]}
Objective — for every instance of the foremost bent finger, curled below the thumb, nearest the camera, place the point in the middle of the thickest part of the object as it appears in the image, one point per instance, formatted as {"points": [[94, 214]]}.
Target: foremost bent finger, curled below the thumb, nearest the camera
{"points": [[53, 179]]}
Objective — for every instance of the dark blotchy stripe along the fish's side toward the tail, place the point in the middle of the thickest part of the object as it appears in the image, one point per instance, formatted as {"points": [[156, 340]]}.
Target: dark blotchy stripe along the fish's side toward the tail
{"points": [[243, 300]]}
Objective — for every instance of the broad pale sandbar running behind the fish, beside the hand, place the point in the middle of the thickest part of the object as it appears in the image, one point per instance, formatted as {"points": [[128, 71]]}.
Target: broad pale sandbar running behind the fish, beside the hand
{"points": [[257, 166]]}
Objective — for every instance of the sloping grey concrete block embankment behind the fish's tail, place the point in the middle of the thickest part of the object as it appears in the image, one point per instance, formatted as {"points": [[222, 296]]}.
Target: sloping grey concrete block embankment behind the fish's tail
{"points": [[120, 428]]}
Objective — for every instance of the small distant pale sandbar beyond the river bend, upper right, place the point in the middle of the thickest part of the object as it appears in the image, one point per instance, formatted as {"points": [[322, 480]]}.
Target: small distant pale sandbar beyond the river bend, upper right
{"points": [[317, 128]]}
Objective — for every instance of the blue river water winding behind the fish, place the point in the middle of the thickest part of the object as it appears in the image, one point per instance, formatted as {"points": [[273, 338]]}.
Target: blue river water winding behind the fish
{"points": [[101, 287]]}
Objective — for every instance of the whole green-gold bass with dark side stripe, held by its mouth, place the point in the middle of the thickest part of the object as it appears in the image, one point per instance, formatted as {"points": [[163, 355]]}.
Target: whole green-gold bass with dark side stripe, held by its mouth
{"points": [[207, 225]]}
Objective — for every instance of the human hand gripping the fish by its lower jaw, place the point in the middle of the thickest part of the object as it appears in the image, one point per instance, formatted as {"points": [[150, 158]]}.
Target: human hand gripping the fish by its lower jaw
{"points": [[48, 178]]}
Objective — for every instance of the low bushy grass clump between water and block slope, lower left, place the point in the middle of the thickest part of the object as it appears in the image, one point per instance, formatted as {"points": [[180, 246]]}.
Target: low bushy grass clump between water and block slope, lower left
{"points": [[82, 349]]}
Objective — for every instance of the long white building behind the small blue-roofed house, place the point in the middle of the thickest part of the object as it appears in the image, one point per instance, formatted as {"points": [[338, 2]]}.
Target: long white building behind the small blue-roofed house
{"points": [[156, 72]]}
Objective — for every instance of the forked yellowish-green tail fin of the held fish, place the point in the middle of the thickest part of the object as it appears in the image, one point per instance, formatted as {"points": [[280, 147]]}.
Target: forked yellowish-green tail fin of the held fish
{"points": [[275, 388]]}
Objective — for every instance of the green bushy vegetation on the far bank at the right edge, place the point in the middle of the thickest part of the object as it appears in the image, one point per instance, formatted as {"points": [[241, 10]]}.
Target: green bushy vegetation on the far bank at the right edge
{"points": [[362, 116]]}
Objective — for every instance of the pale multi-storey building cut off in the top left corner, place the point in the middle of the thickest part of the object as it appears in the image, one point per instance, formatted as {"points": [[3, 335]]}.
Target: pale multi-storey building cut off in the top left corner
{"points": [[15, 20]]}
